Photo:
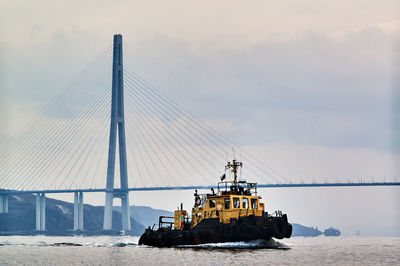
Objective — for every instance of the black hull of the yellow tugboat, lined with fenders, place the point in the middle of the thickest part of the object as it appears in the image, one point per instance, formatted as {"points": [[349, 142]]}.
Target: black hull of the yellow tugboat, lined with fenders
{"points": [[211, 231]]}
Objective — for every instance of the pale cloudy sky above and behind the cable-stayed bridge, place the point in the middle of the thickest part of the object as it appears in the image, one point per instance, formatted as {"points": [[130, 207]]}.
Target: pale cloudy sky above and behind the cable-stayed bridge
{"points": [[308, 86]]}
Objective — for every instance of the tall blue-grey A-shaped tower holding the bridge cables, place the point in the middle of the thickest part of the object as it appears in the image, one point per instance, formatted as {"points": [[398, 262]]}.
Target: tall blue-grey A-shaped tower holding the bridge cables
{"points": [[117, 124]]}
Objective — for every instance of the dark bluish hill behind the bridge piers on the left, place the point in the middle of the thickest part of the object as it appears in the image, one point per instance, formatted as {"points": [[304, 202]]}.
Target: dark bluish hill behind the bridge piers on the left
{"points": [[59, 217]]}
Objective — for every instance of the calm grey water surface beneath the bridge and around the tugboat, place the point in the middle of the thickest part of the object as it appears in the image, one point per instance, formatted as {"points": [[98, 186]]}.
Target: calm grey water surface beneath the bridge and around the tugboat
{"points": [[41, 250]]}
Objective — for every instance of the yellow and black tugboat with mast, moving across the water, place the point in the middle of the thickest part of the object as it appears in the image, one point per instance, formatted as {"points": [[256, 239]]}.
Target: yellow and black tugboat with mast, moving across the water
{"points": [[233, 213]]}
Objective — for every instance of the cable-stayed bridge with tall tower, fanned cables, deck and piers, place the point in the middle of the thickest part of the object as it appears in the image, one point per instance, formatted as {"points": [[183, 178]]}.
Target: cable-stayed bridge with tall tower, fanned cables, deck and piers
{"points": [[72, 145]]}
